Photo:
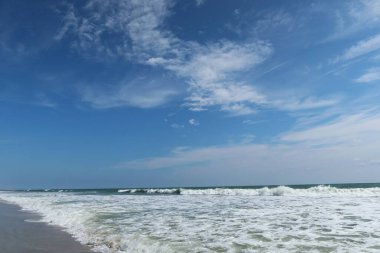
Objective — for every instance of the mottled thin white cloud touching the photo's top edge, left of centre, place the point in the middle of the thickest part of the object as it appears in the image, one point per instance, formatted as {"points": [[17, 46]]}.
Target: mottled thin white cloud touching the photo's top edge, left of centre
{"points": [[127, 29]]}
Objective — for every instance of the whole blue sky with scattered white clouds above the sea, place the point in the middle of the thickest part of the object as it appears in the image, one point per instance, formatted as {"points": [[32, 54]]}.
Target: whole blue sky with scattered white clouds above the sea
{"points": [[165, 93]]}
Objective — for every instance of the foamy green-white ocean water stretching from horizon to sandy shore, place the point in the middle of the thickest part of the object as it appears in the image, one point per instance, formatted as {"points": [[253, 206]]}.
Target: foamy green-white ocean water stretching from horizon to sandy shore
{"points": [[301, 218]]}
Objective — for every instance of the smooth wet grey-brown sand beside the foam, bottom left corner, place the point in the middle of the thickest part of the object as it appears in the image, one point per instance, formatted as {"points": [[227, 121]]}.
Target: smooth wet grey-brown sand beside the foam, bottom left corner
{"points": [[18, 236]]}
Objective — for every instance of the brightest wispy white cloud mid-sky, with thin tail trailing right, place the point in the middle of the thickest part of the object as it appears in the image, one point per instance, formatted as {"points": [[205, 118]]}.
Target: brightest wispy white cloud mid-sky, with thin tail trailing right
{"points": [[212, 70]]}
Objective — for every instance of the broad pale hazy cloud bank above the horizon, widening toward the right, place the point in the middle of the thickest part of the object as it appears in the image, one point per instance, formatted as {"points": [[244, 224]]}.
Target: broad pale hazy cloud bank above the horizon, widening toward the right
{"points": [[349, 153]]}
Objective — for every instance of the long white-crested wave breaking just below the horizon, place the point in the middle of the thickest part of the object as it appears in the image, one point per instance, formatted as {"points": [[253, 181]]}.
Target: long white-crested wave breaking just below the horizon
{"points": [[320, 190]]}
